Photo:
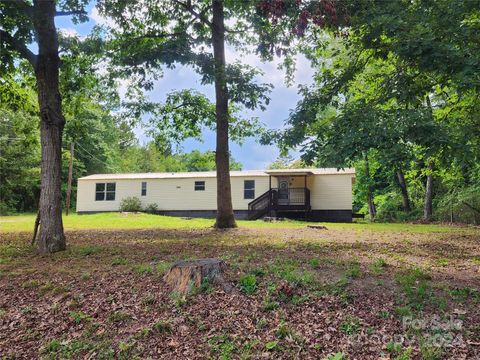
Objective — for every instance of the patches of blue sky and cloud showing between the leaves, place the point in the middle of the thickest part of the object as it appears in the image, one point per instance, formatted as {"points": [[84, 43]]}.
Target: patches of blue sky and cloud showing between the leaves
{"points": [[251, 154]]}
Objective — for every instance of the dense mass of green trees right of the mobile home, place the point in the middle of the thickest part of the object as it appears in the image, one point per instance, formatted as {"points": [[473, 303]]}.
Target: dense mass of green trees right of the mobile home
{"points": [[396, 95]]}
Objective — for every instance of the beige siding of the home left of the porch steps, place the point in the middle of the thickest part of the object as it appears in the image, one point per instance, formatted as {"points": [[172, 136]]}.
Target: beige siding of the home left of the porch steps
{"points": [[168, 194]]}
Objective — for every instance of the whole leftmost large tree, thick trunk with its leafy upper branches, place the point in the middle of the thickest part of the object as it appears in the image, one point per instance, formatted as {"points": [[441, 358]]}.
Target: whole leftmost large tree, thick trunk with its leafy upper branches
{"points": [[23, 23]]}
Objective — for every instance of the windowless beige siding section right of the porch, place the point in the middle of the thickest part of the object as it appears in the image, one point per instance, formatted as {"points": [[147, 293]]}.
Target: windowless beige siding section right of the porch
{"points": [[330, 192]]}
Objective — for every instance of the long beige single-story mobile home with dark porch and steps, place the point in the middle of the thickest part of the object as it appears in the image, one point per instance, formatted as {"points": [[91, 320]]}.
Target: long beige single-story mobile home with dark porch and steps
{"points": [[315, 194]]}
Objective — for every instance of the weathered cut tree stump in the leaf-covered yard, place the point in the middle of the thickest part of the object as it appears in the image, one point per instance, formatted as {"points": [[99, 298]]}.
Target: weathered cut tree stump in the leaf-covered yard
{"points": [[185, 276]]}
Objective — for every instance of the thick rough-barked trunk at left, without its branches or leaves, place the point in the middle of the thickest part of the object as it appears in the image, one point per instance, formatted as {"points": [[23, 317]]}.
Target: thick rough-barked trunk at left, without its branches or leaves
{"points": [[51, 237]]}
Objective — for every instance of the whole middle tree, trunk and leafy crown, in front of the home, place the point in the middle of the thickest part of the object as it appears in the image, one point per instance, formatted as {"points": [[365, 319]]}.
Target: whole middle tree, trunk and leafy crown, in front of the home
{"points": [[151, 34]]}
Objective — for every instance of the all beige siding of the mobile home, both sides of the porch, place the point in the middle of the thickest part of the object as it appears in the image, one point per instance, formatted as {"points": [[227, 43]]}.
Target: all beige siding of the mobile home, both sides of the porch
{"points": [[327, 191]]}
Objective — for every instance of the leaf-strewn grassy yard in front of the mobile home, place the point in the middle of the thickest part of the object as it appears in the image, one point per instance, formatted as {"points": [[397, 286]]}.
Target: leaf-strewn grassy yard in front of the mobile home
{"points": [[364, 291]]}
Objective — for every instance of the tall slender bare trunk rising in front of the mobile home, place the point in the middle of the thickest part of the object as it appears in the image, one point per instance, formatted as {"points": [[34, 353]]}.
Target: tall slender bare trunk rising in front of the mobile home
{"points": [[225, 218]]}
